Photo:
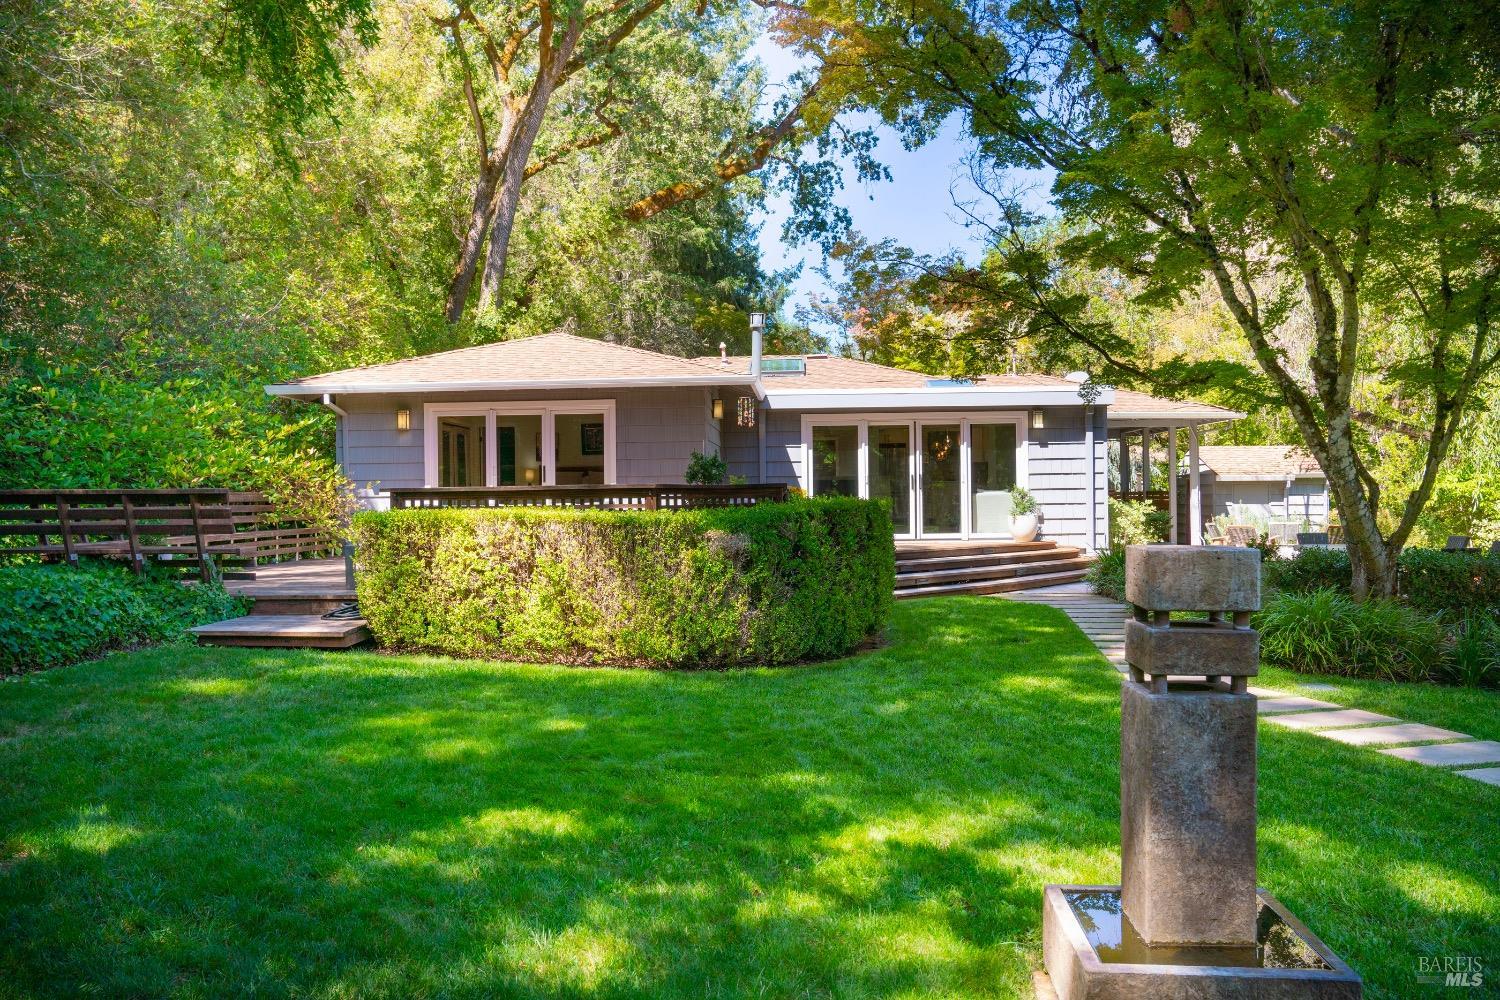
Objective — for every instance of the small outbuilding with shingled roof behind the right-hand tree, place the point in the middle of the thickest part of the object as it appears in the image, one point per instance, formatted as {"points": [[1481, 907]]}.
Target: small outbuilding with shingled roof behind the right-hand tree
{"points": [[1274, 482]]}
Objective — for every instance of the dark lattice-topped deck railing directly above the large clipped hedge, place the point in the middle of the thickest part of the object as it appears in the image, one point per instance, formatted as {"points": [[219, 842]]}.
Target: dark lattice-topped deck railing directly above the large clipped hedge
{"points": [[658, 497]]}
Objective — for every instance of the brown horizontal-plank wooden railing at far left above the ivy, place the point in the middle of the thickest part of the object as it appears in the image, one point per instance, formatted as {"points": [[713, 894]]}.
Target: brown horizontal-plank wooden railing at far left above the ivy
{"points": [[190, 528]]}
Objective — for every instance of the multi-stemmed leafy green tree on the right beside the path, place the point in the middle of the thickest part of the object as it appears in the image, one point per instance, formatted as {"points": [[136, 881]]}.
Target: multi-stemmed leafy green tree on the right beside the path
{"points": [[1334, 160]]}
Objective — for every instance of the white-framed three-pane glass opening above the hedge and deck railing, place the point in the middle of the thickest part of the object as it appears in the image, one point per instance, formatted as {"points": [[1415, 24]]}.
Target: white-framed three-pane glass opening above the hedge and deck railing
{"points": [[566, 443]]}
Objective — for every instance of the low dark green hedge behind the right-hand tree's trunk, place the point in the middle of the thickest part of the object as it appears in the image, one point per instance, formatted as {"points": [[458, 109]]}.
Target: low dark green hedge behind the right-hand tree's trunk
{"points": [[1456, 584]]}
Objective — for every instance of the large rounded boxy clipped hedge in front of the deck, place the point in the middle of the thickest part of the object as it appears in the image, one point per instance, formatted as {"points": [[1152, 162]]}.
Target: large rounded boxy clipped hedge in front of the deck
{"points": [[758, 585]]}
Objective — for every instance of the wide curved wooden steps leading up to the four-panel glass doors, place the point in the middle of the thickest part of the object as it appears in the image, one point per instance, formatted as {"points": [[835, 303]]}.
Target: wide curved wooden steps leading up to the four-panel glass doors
{"points": [[985, 567]]}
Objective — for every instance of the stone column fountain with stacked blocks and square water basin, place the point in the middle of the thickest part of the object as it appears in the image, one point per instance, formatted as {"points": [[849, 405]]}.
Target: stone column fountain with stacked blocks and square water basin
{"points": [[1187, 921]]}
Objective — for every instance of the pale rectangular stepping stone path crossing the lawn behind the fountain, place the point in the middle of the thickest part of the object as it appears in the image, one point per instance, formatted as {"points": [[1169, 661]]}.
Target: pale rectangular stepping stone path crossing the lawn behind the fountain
{"points": [[1103, 621]]}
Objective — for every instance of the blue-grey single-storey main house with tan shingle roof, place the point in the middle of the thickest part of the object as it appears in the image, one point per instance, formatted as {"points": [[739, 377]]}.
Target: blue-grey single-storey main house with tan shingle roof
{"points": [[563, 410]]}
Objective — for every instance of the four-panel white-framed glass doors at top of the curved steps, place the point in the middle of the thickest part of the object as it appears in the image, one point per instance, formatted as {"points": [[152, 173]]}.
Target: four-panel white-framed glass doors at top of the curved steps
{"points": [[943, 476]]}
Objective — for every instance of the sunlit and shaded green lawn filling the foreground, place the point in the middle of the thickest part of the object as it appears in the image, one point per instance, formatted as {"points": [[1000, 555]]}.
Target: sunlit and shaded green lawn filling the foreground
{"points": [[205, 822]]}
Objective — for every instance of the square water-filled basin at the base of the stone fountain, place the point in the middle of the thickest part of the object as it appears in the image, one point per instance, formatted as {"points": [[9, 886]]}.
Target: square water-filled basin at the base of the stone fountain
{"points": [[1094, 954]]}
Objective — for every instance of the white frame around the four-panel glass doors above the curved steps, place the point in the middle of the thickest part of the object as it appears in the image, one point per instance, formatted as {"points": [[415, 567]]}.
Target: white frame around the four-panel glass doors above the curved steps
{"points": [[916, 421]]}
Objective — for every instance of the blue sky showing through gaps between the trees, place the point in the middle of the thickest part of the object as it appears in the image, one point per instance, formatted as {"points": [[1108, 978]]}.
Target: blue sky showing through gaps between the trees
{"points": [[916, 208]]}
